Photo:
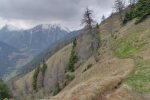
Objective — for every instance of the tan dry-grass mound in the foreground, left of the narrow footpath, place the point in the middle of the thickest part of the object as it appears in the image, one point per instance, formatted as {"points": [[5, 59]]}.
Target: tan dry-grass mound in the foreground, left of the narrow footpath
{"points": [[96, 81]]}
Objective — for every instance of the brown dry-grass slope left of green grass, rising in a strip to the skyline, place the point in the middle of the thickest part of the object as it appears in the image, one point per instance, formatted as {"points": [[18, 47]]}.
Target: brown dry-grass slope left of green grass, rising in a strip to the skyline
{"points": [[103, 76]]}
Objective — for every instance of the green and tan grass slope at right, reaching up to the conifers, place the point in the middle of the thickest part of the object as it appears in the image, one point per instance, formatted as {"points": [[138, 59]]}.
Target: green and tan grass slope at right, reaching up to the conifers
{"points": [[135, 44]]}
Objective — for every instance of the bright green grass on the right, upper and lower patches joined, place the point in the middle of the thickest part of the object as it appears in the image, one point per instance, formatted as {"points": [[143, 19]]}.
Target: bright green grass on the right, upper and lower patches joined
{"points": [[127, 47]]}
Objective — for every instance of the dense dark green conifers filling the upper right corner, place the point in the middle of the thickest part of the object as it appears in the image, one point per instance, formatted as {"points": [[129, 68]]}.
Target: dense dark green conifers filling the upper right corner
{"points": [[140, 10]]}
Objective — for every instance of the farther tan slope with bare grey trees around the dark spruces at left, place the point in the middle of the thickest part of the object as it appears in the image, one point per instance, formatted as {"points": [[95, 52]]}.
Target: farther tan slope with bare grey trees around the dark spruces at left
{"points": [[56, 67]]}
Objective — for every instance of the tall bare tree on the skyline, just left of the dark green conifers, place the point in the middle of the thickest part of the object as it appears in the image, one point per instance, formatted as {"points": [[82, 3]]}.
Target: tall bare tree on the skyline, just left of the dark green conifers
{"points": [[119, 7]]}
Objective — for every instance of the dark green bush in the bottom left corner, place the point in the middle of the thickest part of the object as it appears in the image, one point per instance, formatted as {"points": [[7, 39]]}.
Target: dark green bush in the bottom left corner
{"points": [[4, 91]]}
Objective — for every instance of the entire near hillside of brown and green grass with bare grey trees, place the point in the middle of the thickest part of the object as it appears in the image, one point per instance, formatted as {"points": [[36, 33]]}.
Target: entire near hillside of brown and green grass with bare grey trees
{"points": [[120, 72]]}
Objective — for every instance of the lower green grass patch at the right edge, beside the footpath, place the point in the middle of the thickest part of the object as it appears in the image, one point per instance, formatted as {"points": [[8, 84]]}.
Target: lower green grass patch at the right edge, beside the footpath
{"points": [[140, 80]]}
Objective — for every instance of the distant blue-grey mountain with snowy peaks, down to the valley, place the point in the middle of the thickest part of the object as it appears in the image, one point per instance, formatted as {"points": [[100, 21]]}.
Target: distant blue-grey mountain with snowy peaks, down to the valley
{"points": [[28, 43]]}
